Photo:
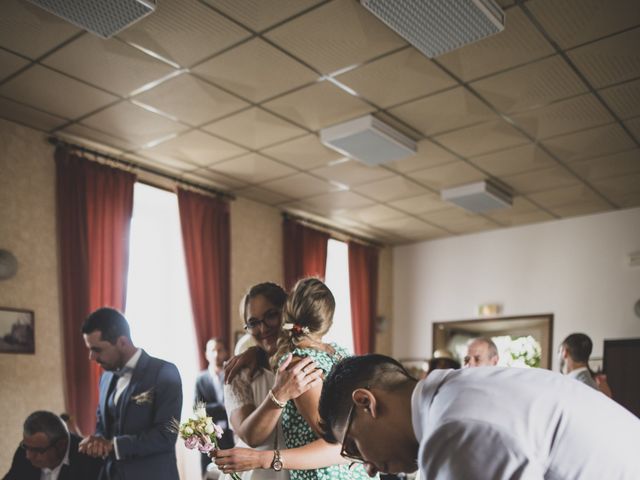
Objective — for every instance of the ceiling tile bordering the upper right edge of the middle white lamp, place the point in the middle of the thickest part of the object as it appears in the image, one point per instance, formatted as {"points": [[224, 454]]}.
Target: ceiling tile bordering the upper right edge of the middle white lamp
{"points": [[444, 111]]}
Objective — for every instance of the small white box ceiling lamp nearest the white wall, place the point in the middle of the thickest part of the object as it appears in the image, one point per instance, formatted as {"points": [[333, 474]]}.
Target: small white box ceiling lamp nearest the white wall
{"points": [[478, 197]]}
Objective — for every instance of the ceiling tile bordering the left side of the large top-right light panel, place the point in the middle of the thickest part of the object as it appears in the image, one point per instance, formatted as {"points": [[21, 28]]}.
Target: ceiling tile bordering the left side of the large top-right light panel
{"points": [[336, 35]]}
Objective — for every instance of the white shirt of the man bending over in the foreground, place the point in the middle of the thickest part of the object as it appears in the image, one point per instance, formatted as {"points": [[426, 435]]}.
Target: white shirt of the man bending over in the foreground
{"points": [[515, 423]]}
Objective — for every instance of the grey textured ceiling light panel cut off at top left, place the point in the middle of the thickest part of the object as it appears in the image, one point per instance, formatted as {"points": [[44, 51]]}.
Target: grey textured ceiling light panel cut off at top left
{"points": [[104, 18]]}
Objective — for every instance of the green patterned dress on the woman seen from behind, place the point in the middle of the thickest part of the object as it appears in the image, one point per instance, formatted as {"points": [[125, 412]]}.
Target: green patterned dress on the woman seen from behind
{"points": [[297, 431]]}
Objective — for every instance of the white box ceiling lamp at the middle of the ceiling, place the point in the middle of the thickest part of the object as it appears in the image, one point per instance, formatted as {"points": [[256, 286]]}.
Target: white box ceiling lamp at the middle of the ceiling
{"points": [[369, 140]]}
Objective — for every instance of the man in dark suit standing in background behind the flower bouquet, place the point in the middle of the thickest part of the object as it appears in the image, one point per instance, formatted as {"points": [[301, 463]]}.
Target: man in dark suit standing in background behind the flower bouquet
{"points": [[210, 391]]}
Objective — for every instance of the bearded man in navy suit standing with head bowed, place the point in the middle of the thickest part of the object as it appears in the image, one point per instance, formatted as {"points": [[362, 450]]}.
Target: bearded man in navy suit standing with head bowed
{"points": [[139, 397]]}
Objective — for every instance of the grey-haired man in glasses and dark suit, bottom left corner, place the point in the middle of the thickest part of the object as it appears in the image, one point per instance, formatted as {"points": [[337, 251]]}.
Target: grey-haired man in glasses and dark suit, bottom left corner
{"points": [[48, 451]]}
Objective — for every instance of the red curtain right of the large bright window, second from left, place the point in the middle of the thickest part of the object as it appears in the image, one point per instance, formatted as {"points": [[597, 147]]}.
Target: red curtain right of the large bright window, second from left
{"points": [[207, 245]]}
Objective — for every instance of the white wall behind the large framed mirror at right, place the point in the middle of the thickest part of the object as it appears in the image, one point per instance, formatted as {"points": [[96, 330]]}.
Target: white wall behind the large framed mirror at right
{"points": [[576, 268]]}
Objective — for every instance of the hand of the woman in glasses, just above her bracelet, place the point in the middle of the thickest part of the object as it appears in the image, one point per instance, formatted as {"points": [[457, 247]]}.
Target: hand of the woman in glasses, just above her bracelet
{"points": [[295, 377]]}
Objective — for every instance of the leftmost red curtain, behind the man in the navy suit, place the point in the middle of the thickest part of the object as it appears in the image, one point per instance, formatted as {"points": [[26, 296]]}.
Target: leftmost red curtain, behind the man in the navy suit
{"points": [[94, 206]]}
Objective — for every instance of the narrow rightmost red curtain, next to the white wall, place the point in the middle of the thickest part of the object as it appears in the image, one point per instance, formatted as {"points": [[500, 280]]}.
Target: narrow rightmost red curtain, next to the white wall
{"points": [[363, 288]]}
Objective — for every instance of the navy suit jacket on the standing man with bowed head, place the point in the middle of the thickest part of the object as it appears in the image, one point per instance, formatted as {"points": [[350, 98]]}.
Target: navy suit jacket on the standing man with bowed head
{"points": [[146, 409]]}
